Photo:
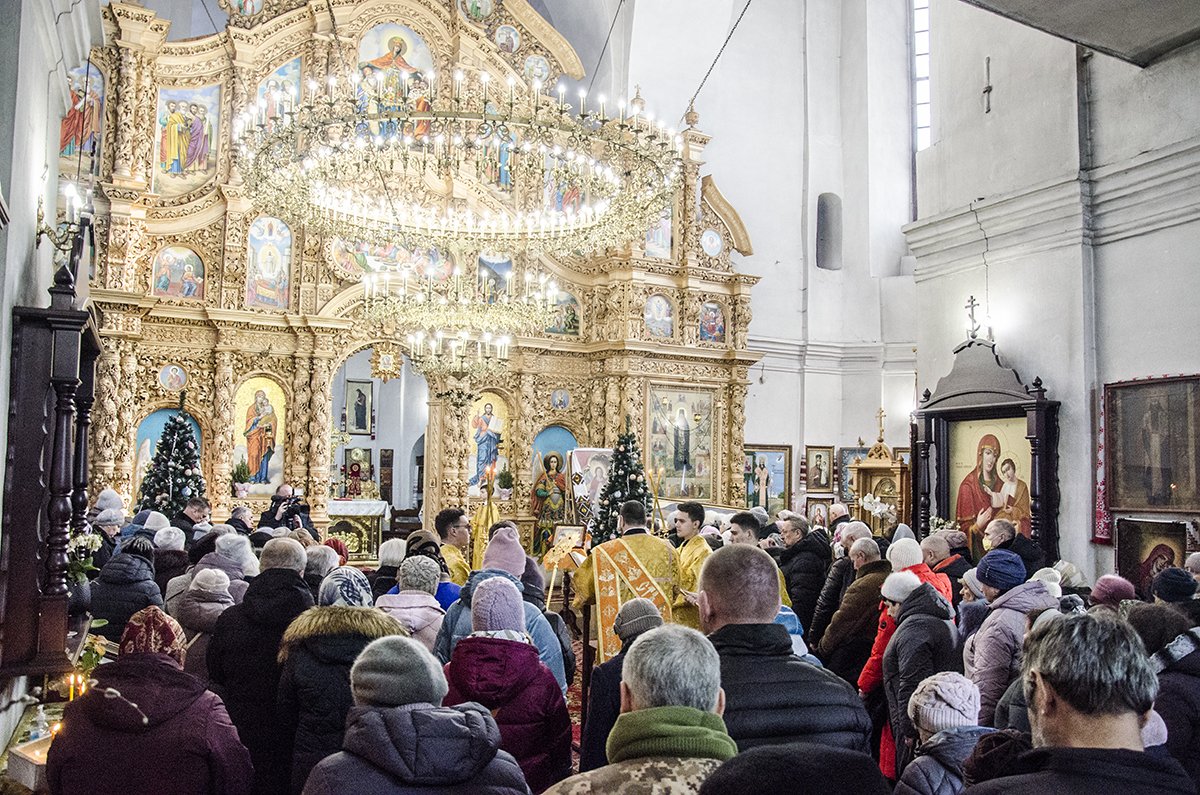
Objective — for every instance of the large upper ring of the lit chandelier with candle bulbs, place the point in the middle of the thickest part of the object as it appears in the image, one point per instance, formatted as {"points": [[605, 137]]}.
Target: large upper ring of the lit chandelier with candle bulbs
{"points": [[443, 162]]}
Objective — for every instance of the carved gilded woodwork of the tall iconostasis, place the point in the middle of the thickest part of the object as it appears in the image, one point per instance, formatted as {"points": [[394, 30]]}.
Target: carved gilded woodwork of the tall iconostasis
{"points": [[608, 369]]}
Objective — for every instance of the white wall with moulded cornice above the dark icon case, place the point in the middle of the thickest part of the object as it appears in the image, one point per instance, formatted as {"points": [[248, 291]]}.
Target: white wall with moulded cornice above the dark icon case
{"points": [[1088, 284]]}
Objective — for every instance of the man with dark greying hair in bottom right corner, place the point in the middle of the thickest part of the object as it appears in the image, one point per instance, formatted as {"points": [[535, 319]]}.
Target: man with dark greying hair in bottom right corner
{"points": [[1090, 688]]}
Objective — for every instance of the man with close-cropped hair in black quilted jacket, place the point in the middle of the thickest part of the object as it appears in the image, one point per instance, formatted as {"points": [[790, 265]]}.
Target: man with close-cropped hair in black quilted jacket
{"points": [[771, 695]]}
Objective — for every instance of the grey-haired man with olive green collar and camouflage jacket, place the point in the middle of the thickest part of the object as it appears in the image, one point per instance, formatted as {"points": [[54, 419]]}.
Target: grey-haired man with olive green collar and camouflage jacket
{"points": [[670, 736]]}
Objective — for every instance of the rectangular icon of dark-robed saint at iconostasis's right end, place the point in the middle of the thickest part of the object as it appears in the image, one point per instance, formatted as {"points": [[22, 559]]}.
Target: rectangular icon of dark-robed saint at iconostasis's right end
{"points": [[681, 447]]}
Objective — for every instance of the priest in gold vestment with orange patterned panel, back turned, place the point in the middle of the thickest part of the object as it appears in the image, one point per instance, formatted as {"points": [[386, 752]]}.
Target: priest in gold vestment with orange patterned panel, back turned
{"points": [[635, 565]]}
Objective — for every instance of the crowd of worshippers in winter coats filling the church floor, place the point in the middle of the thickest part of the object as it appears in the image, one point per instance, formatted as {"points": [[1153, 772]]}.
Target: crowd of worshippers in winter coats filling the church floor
{"points": [[753, 655]]}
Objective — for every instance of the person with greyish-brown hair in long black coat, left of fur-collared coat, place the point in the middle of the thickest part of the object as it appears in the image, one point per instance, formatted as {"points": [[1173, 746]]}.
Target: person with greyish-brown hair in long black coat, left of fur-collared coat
{"points": [[243, 657]]}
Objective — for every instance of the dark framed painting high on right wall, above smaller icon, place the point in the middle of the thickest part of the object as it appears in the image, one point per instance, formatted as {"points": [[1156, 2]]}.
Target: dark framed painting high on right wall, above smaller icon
{"points": [[1153, 432]]}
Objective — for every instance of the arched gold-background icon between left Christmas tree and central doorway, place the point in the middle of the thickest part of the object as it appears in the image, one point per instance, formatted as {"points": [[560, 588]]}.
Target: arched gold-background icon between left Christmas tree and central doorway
{"points": [[260, 409]]}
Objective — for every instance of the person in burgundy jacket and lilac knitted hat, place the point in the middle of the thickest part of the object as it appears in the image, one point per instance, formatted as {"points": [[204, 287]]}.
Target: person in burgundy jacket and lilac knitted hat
{"points": [[497, 666]]}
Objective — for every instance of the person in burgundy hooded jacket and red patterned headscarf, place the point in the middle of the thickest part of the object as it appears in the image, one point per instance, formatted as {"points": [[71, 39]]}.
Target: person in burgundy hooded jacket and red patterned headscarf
{"points": [[148, 727]]}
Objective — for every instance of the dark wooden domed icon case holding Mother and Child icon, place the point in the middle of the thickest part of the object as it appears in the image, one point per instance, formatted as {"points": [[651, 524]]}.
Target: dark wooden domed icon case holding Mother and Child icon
{"points": [[987, 449]]}
